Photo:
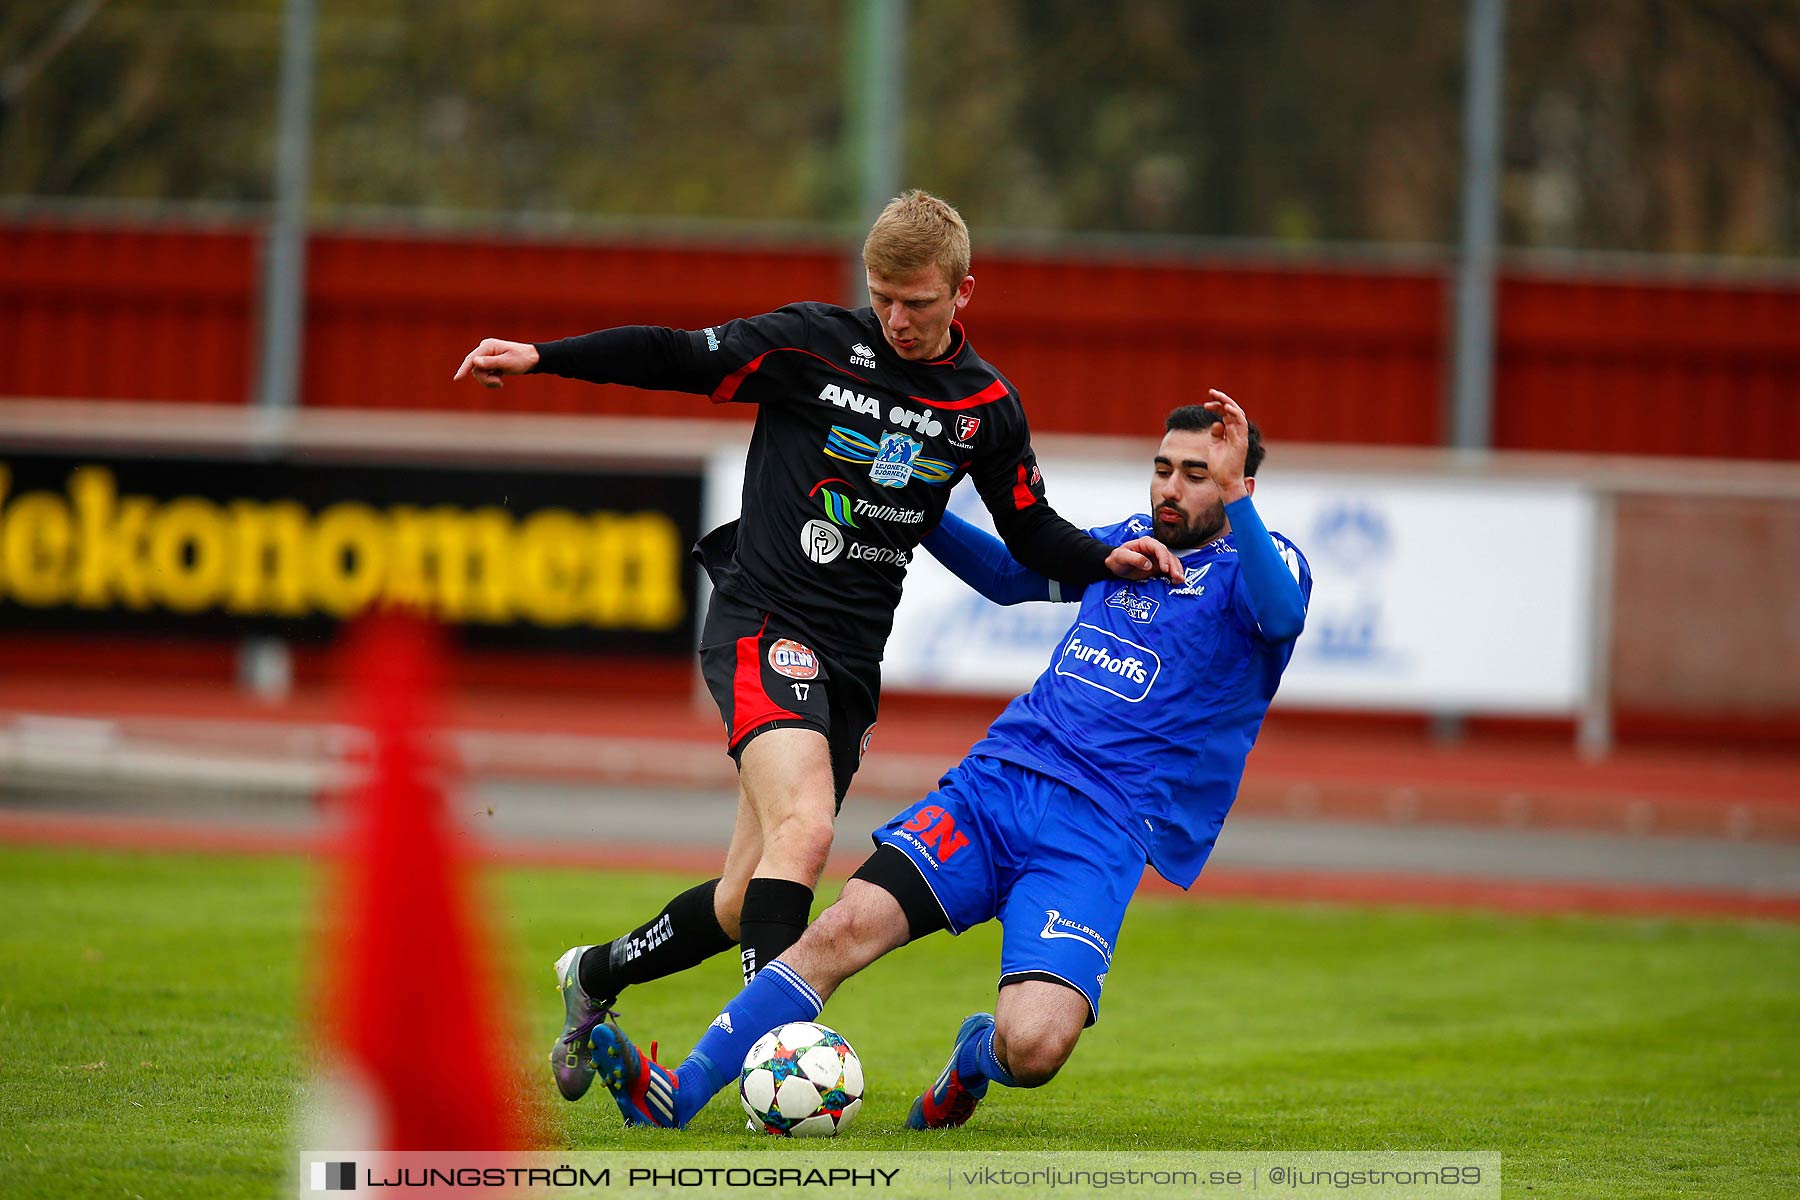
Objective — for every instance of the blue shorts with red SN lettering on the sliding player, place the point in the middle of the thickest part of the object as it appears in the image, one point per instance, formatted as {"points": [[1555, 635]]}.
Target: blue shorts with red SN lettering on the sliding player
{"points": [[1003, 841]]}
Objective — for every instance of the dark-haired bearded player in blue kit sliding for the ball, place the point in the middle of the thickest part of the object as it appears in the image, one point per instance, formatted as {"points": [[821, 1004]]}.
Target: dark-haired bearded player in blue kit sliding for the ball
{"points": [[1126, 751]]}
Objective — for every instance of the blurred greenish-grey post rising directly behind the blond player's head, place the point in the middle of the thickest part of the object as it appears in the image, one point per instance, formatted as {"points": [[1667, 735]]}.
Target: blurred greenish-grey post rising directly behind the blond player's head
{"points": [[874, 102]]}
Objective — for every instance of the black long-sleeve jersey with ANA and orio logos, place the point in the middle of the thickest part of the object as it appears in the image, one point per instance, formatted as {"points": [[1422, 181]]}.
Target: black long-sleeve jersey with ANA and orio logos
{"points": [[850, 463]]}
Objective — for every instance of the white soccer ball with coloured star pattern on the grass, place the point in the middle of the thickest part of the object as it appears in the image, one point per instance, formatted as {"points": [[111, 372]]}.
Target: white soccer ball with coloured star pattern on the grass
{"points": [[802, 1080]]}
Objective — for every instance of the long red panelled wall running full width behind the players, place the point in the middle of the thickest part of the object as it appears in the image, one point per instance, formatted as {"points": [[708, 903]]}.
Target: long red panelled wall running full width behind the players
{"points": [[1320, 354]]}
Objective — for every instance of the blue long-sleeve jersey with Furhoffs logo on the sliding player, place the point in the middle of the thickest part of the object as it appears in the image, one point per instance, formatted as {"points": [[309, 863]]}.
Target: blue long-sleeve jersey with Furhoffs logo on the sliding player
{"points": [[1156, 694]]}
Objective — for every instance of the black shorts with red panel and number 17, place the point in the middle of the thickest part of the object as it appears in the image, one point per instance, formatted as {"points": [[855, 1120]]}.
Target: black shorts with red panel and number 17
{"points": [[766, 674]]}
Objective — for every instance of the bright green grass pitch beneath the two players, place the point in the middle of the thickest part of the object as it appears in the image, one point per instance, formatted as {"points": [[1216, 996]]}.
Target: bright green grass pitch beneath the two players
{"points": [[152, 1043]]}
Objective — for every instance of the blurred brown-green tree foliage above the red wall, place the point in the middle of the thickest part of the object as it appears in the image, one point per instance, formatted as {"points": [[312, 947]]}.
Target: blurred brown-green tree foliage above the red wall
{"points": [[1632, 125]]}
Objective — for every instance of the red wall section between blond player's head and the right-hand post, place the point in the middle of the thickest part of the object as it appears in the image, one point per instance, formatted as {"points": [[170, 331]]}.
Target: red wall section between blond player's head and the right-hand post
{"points": [[1315, 354]]}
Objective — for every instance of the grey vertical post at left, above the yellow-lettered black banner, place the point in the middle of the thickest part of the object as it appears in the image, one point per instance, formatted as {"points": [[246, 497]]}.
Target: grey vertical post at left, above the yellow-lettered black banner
{"points": [[265, 665]]}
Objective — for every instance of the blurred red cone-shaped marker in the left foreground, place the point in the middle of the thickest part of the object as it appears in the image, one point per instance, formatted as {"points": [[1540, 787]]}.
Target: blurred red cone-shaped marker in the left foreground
{"points": [[409, 999]]}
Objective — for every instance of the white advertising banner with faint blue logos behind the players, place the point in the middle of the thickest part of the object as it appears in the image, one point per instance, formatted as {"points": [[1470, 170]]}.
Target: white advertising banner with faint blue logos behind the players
{"points": [[1428, 595]]}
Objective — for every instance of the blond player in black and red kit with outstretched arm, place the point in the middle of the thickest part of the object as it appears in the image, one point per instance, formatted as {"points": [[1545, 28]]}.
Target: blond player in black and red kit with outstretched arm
{"points": [[867, 418]]}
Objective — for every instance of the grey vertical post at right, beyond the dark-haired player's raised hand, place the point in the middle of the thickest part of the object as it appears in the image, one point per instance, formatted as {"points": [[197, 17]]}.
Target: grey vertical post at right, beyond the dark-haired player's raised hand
{"points": [[1473, 379]]}
